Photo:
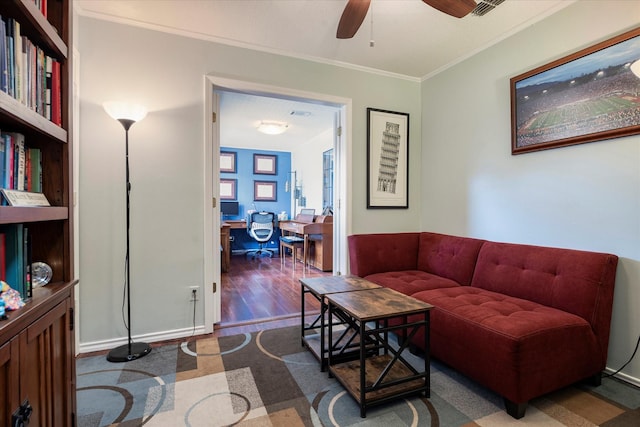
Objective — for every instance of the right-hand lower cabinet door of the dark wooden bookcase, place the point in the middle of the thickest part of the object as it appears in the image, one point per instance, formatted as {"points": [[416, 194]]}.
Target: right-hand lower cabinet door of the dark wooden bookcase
{"points": [[46, 368]]}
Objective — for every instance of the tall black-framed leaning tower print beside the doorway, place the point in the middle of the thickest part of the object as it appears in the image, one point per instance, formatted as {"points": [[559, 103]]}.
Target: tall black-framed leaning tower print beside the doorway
{"points": [[387, 176]]}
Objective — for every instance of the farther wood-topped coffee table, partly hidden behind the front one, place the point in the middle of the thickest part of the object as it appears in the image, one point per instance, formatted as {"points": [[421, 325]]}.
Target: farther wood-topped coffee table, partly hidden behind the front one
{"points": [[345, 346]]}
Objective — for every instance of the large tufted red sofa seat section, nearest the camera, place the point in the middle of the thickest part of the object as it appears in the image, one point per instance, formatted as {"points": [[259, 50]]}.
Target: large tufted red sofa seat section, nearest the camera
{"points": [[517, 347]]}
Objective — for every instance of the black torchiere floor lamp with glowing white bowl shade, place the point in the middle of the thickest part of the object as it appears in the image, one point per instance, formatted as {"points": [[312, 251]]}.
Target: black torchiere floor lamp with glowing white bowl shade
{"points": [[127, 115]]}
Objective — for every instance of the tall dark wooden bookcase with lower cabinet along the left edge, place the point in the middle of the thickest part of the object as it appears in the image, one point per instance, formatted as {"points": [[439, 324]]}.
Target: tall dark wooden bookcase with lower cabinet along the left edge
{"points": [[37, 349]]}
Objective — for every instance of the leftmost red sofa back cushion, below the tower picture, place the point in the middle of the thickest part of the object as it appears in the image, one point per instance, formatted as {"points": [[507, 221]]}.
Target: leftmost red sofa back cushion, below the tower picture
{"points": [[382, 252]]}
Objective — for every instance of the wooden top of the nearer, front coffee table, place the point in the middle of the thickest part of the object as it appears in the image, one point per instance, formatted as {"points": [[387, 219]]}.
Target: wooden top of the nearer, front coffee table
{"points": [[375, 304]]}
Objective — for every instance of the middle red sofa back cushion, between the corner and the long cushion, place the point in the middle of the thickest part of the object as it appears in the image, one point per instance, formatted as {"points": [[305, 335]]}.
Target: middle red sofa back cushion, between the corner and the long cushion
{"points": [[447, 256]]}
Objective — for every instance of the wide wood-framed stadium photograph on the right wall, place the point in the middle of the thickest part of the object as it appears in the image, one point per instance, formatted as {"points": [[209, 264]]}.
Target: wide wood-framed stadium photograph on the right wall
{"points": [[590, 95]]}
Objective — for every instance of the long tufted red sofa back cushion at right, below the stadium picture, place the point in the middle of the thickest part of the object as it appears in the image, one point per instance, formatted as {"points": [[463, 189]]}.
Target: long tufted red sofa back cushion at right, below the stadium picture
{"points": [[575, 281]]}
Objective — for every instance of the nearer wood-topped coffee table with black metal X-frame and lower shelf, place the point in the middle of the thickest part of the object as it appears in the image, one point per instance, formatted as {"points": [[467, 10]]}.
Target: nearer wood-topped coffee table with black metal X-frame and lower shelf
{"points": [[387, 375]]}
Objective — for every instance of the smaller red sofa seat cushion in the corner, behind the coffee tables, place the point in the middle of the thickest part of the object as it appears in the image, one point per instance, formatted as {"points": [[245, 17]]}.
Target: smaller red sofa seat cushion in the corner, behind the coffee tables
{"points": [[411, 281]]}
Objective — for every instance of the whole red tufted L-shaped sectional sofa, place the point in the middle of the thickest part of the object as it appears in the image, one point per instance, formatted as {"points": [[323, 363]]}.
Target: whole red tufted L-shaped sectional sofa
{"points": [[521, 320]]}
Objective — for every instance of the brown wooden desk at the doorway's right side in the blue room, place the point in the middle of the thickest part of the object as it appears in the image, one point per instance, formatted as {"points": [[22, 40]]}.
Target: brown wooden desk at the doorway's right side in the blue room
{"points": [[318, 240]]}
